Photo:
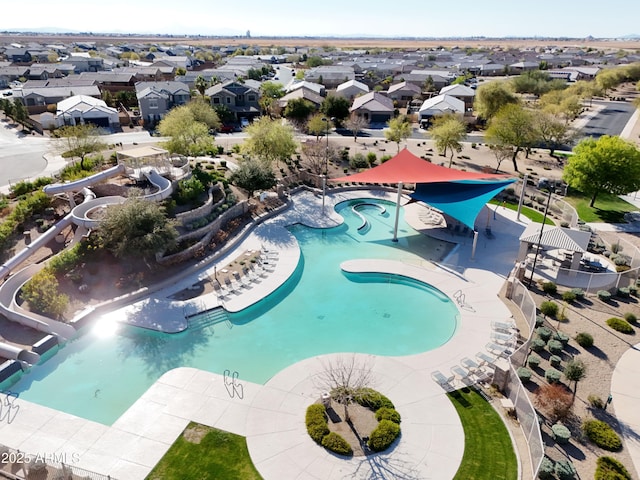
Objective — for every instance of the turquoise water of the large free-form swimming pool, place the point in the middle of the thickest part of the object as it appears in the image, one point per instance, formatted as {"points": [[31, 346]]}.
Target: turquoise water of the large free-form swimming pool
{"points": [[319, 310]]}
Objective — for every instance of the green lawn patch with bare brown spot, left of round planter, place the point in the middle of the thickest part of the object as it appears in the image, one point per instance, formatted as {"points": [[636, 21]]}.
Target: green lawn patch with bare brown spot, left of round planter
{"points": [[203, 453]]}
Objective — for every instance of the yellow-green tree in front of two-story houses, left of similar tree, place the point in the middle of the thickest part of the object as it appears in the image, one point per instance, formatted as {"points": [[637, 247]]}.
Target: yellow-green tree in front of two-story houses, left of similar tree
{"points": [[187, 136]]}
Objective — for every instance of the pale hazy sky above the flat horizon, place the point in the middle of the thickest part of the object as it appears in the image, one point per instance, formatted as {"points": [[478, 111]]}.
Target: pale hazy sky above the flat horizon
{"points": [[420, 18]]}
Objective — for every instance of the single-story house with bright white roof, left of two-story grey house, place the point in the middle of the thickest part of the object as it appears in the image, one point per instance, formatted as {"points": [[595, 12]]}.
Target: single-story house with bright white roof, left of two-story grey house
{"points": [[81, 109]]}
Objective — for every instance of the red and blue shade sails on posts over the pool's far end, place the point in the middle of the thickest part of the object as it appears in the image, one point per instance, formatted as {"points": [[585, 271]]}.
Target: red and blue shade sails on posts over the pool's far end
{"points": [[457, 193]]}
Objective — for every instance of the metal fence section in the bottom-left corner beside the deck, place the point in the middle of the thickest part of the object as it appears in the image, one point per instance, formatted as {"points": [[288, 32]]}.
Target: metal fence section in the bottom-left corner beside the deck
{"points": [[16, 464]]}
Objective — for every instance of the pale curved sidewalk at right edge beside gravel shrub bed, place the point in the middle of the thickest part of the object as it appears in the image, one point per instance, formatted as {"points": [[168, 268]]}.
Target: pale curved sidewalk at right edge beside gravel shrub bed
{"points": [[625, 390]]}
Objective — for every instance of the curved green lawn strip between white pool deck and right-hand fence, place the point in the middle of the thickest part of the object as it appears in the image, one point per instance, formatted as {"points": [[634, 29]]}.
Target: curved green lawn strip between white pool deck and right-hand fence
{"points": [[488, 451]]}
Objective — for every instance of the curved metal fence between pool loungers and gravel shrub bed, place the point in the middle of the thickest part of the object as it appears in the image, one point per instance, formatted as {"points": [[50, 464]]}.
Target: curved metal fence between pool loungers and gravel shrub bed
{"points": [[514, 389]]}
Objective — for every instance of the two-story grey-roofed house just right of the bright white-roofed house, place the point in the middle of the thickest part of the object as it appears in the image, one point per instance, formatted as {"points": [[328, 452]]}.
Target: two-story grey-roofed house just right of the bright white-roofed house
{"points": [[157, 98]]}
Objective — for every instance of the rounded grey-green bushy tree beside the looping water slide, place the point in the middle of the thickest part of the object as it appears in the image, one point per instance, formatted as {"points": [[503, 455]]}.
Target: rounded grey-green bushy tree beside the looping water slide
{"points": [[137, 228]]}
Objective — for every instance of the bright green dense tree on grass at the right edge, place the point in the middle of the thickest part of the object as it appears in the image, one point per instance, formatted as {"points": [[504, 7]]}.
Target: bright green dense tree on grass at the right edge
{"points": [[608, 164]]}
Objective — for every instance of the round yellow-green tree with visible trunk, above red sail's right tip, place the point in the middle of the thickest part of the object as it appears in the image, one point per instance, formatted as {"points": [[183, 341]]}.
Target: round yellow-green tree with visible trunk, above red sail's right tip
{"points": [[513, 126]]}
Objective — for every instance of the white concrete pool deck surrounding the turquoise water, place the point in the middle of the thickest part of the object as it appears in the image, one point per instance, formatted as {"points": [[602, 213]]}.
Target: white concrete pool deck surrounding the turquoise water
{"points": [[271, 416]]}
